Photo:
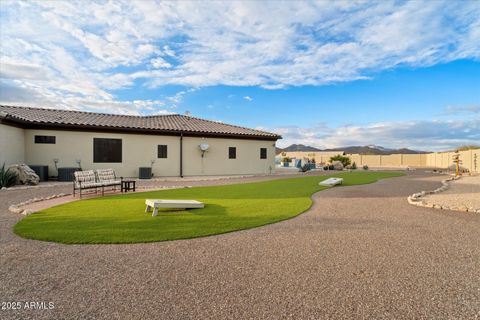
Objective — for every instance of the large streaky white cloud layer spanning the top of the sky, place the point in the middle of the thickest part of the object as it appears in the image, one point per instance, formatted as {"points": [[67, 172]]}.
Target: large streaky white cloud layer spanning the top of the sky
{"points": [[88, 49]]}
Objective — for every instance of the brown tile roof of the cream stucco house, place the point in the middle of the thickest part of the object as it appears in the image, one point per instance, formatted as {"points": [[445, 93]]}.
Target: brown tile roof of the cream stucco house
{"points": [[174, 123]]}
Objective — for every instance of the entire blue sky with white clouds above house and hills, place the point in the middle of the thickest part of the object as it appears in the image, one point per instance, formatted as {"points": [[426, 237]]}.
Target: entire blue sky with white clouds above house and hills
{"points": [[327, 74]]}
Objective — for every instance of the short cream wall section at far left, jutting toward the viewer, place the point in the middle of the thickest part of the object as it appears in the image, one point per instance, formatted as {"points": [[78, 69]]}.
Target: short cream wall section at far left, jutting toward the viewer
{"points": [[12, 145]]}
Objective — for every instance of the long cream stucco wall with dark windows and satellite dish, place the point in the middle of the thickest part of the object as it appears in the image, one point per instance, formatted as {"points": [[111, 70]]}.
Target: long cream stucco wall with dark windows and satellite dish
{"points": [[139, 149]]}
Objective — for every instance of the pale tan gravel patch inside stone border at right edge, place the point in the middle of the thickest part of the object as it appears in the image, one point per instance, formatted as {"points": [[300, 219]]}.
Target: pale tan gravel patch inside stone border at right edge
{"points": [[464, 192]]}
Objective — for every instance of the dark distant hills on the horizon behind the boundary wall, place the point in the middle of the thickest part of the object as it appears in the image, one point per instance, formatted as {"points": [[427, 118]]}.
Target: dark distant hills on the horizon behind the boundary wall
{"points": [[372, 149]]}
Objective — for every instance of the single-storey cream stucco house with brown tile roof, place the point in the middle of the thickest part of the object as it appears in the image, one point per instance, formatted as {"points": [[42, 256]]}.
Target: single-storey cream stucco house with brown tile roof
{"points": [[169, 144]]}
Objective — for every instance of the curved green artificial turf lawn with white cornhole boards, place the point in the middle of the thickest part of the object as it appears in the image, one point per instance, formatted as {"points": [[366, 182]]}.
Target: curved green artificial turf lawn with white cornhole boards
{"points": [[121, 218]]}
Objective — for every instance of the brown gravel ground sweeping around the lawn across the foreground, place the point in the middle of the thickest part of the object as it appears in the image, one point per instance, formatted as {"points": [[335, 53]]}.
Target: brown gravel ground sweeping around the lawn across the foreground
{"points": [[360, 252]]}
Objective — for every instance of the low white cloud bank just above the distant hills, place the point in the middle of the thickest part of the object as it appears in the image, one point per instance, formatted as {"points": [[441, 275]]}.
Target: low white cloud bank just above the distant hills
{"points": [[420, 135]]}
